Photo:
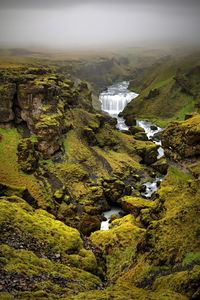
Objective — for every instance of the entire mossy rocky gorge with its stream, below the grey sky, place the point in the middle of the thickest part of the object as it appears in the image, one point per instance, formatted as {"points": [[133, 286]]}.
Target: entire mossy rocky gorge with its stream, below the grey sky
{"points": [[65, 167]]}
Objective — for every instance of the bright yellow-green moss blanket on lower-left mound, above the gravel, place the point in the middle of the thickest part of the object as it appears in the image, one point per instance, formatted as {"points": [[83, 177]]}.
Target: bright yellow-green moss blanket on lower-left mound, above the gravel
{"points": [[51, 235]]}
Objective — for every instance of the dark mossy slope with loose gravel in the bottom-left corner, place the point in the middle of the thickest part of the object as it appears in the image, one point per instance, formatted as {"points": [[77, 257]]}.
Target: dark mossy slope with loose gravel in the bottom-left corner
{"points": [[36, 277]]}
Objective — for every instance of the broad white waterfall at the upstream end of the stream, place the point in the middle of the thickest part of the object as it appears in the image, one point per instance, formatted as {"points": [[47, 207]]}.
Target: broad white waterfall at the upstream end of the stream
{"points": [[114, 100]]}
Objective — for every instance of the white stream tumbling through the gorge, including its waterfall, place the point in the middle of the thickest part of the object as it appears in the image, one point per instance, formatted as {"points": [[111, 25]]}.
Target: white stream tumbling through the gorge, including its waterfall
{"points": [[113, 100]]}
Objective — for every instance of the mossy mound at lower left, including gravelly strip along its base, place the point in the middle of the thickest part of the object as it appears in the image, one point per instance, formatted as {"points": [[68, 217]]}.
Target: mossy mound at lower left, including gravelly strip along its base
{"points": [[40, 232]]}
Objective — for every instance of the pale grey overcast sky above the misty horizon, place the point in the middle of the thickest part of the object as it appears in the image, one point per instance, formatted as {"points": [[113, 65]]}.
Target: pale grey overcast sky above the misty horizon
{"points": [[98, 23]]}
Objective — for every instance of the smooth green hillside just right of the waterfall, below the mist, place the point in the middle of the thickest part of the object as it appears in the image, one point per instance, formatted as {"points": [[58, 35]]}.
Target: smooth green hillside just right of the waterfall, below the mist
{"points": [[176, 79]]}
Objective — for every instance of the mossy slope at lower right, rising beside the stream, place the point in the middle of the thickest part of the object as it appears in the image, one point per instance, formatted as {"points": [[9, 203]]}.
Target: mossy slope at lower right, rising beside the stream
{"points": [[168, 241]]}
